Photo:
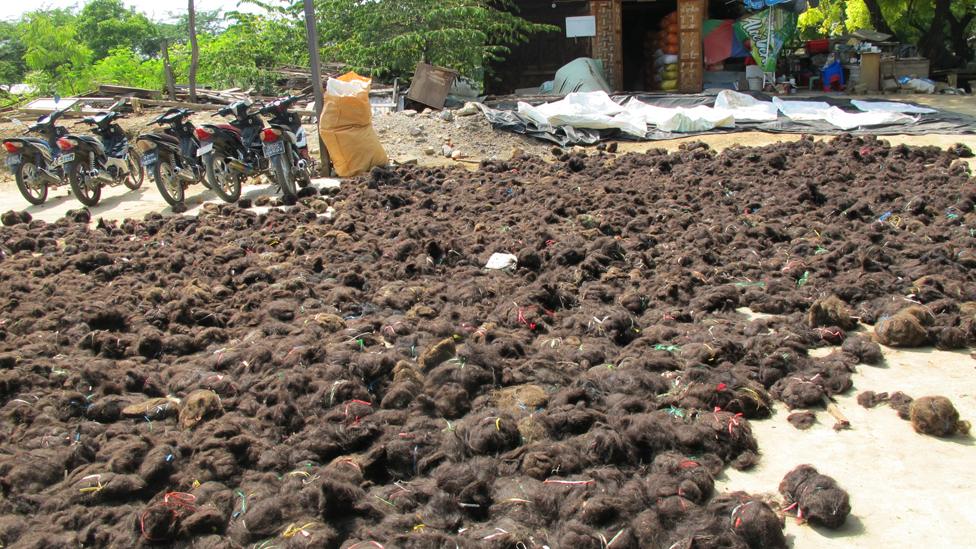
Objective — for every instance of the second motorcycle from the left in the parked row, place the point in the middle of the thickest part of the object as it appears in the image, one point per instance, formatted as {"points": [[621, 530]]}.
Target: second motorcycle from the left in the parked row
{"points": [[90, 163]]}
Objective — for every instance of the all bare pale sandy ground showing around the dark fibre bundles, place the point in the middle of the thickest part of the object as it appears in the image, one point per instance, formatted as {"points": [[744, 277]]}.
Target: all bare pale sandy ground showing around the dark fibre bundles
{"points": [[906, 489]]}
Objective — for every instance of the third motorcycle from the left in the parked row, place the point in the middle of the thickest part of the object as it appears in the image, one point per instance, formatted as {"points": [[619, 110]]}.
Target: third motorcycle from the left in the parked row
{"points": [[171, 155]]}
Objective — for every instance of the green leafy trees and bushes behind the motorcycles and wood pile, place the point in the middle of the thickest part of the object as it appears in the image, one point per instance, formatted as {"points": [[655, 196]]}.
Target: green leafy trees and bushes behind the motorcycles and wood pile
{"points": [[68, 51]]}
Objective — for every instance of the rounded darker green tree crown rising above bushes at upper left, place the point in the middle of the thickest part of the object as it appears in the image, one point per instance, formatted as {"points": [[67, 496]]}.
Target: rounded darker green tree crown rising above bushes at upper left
{"points": [[105, 25]]}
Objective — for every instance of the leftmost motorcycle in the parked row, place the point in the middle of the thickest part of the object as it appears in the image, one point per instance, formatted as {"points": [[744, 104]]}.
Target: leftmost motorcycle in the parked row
{"points": [[36, 162]]}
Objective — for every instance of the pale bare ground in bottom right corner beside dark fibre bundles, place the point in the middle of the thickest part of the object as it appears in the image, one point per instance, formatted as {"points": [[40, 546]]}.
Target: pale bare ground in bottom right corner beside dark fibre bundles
{"points": [[907, 490]]}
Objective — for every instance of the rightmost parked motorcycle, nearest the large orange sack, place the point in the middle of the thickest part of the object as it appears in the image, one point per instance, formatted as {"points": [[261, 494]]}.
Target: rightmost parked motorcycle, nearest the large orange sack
{"points": [[285, 144]]}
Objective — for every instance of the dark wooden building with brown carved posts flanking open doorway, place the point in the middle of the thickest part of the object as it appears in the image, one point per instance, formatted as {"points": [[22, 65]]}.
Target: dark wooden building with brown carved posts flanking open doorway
{"points": [[619, 40]]}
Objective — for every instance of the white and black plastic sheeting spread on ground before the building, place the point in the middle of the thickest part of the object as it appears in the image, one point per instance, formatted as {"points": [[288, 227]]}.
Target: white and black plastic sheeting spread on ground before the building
{"points": [[673, 116]]}
